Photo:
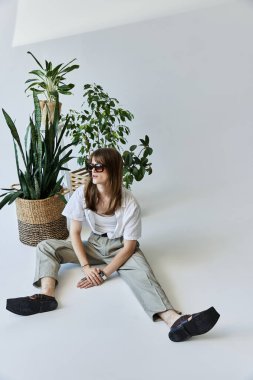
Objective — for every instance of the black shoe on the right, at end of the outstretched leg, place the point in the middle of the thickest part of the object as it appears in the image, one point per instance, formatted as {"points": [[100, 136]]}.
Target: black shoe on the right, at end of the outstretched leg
{"points": [[200, 323]]}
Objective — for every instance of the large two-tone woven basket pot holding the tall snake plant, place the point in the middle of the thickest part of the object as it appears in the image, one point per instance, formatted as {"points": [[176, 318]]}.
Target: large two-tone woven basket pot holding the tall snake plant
{"points": [[41, 219]]}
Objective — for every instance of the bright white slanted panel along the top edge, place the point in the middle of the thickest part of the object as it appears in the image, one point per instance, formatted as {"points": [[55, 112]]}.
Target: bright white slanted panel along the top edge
{"points": [[44, 20]]}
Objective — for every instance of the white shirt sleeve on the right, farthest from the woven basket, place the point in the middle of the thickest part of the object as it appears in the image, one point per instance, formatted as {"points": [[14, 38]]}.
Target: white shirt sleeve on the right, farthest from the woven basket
{"points": [[132, 221]]}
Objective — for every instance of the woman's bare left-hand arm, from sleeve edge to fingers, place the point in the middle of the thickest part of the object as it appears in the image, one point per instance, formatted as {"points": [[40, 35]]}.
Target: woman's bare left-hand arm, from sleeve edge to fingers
{"points": [[75, 234]]}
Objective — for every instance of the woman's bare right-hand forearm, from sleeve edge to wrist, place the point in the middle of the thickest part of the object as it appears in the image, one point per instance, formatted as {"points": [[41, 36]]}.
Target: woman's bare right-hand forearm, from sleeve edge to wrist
{"points": [[124, 254]]}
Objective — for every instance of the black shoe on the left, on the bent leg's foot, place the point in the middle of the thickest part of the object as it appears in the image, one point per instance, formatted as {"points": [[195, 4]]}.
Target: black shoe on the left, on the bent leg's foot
{"points": [[38, 303]]}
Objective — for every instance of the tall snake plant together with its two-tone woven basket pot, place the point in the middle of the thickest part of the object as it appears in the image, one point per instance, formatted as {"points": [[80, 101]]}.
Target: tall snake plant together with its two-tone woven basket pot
{"points": [[39, 201]]}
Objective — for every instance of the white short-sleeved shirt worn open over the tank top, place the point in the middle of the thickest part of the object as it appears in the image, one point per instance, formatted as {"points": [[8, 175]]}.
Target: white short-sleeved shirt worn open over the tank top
{"points": [[128, 216]]}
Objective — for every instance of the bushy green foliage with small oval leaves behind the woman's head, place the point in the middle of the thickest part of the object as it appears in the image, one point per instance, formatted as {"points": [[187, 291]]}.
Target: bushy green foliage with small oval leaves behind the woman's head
{"points": [[102, 123]]}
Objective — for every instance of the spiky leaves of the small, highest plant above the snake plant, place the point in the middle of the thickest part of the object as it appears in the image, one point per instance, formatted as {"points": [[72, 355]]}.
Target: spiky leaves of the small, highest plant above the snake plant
{"points": [[50, 80]]}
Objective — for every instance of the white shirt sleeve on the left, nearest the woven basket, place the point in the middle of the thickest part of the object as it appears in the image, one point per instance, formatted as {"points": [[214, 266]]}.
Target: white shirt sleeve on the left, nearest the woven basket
{"points": [[74, 209]]}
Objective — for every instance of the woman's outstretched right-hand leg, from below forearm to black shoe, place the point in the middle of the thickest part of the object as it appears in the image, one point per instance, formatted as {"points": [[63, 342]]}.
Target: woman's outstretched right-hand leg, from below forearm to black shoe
{"points": [[138, 274]]}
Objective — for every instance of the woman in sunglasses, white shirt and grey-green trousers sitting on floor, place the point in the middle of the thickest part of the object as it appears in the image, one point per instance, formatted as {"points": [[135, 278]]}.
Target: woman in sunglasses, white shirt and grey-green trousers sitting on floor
{"points": [[114, 217]]}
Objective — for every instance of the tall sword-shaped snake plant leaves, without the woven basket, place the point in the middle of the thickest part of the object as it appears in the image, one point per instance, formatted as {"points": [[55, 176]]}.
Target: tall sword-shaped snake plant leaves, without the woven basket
{"points": [[42, 155]]}
